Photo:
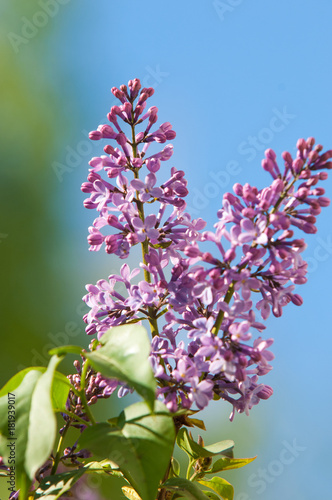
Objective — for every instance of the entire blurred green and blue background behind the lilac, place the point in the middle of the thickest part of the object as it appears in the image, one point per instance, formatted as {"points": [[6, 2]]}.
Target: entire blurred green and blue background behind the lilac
{"points": [[234, 77]]}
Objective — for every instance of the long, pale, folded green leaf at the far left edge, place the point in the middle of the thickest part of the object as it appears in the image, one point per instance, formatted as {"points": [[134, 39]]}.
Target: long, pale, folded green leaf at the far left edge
{"points": [[35, 421]]}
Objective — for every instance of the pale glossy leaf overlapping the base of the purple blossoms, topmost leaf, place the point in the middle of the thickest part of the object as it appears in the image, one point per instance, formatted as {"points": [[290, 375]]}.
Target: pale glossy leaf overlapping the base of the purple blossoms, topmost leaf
{"points": [[124, 356]]}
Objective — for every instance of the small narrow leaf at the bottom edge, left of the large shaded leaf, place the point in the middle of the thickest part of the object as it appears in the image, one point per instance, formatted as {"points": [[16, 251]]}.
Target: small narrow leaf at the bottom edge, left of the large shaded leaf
{"points": [[52, 487]]}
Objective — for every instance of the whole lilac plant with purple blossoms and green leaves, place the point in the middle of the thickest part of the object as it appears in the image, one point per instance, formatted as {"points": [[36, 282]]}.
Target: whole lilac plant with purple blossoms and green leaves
{"points": [[204, 294]]}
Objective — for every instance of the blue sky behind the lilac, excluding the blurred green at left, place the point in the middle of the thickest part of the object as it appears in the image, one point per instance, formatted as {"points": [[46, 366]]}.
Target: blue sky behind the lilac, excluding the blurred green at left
{"points": [[234, 78]]}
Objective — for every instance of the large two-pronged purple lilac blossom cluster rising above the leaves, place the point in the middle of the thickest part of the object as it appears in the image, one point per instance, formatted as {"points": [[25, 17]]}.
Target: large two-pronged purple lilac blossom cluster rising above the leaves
{"points": [[209, 305]]}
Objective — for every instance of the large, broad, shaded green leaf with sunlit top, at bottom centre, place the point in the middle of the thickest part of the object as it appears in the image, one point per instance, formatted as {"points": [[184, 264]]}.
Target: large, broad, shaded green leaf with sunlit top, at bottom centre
{"points": [[141, 445]]}
